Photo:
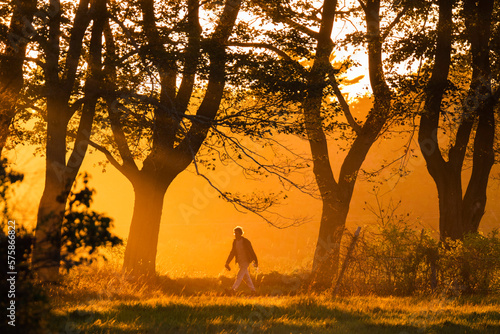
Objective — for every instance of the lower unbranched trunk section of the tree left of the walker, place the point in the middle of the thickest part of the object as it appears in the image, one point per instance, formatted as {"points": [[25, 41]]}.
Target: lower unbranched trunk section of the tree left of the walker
{"points": [[140, 252]]}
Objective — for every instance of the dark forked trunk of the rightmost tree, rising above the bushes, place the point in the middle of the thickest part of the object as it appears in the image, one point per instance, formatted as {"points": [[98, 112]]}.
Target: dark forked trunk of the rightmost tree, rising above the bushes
{"points": [[460, 213]]}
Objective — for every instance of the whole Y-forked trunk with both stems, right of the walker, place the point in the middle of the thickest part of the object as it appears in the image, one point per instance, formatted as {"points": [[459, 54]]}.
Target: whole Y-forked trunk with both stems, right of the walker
{"points": [[336, 196]]}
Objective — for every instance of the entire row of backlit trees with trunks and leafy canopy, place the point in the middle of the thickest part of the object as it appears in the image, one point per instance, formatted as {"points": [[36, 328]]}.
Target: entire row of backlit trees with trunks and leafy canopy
{"points": [[151, 84]]}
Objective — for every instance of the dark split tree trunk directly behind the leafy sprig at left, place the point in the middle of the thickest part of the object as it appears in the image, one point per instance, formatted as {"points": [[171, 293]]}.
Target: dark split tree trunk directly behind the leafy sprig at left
{"points": [[59, 174]]}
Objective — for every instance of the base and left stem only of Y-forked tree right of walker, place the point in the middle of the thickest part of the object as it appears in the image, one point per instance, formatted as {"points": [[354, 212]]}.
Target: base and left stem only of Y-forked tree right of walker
{"points": [[332, 221]]}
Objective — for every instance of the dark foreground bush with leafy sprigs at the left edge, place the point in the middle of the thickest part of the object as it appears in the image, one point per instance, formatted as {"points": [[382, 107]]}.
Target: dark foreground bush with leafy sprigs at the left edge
{"points": [[83, 232]]}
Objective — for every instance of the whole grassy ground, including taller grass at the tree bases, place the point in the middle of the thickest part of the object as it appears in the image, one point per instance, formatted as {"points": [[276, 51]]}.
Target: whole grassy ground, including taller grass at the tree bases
{"points": [[103, 301]]}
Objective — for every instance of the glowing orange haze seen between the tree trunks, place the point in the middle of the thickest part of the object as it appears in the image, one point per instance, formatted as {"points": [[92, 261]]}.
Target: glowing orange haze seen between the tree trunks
{"points": [[196, 228]]}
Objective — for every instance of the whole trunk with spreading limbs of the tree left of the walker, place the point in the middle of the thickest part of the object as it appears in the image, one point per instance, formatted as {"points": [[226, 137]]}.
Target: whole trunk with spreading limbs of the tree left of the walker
{"points": [[169, 156]]}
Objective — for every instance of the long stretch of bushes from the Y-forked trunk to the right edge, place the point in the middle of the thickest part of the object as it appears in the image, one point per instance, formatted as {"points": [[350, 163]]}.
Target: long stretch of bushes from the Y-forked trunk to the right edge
{"points": [[394, 259]]}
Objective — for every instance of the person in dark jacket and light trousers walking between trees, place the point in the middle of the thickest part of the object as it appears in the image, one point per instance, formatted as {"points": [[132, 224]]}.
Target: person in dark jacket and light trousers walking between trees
{"points": [[243, 252]]}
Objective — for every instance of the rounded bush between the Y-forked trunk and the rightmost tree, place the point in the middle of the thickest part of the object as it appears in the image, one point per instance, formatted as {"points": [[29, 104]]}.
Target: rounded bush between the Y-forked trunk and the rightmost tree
{"points": [[391, 259]]}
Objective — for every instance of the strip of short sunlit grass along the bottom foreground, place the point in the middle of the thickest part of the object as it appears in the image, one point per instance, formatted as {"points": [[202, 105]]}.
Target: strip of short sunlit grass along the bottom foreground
{"points": [[285, 314]]}
